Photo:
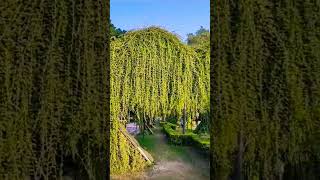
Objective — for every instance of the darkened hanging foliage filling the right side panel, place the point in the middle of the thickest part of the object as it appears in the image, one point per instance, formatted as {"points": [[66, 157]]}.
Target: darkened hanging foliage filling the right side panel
{"points": [[265, 89]]}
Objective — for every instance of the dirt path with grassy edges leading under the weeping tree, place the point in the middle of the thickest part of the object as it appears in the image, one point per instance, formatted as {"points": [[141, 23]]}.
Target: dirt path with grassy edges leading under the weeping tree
{"points": [[171, 162]]}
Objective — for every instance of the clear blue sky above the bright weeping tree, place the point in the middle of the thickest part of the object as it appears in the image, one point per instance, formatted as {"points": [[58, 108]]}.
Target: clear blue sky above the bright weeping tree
{"points": [[178, 16]]}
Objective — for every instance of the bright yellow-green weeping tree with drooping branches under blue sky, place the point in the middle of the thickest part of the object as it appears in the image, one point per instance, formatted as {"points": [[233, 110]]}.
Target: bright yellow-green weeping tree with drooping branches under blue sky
{"points": [[153, 75]]}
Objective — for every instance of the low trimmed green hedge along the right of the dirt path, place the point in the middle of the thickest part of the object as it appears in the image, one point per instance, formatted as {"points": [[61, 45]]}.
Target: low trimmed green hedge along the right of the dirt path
{"points": [[189, 138]]}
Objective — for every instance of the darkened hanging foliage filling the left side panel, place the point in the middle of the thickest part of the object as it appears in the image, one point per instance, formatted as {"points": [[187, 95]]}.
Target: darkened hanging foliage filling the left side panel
{"points": [[53, 84]]}
